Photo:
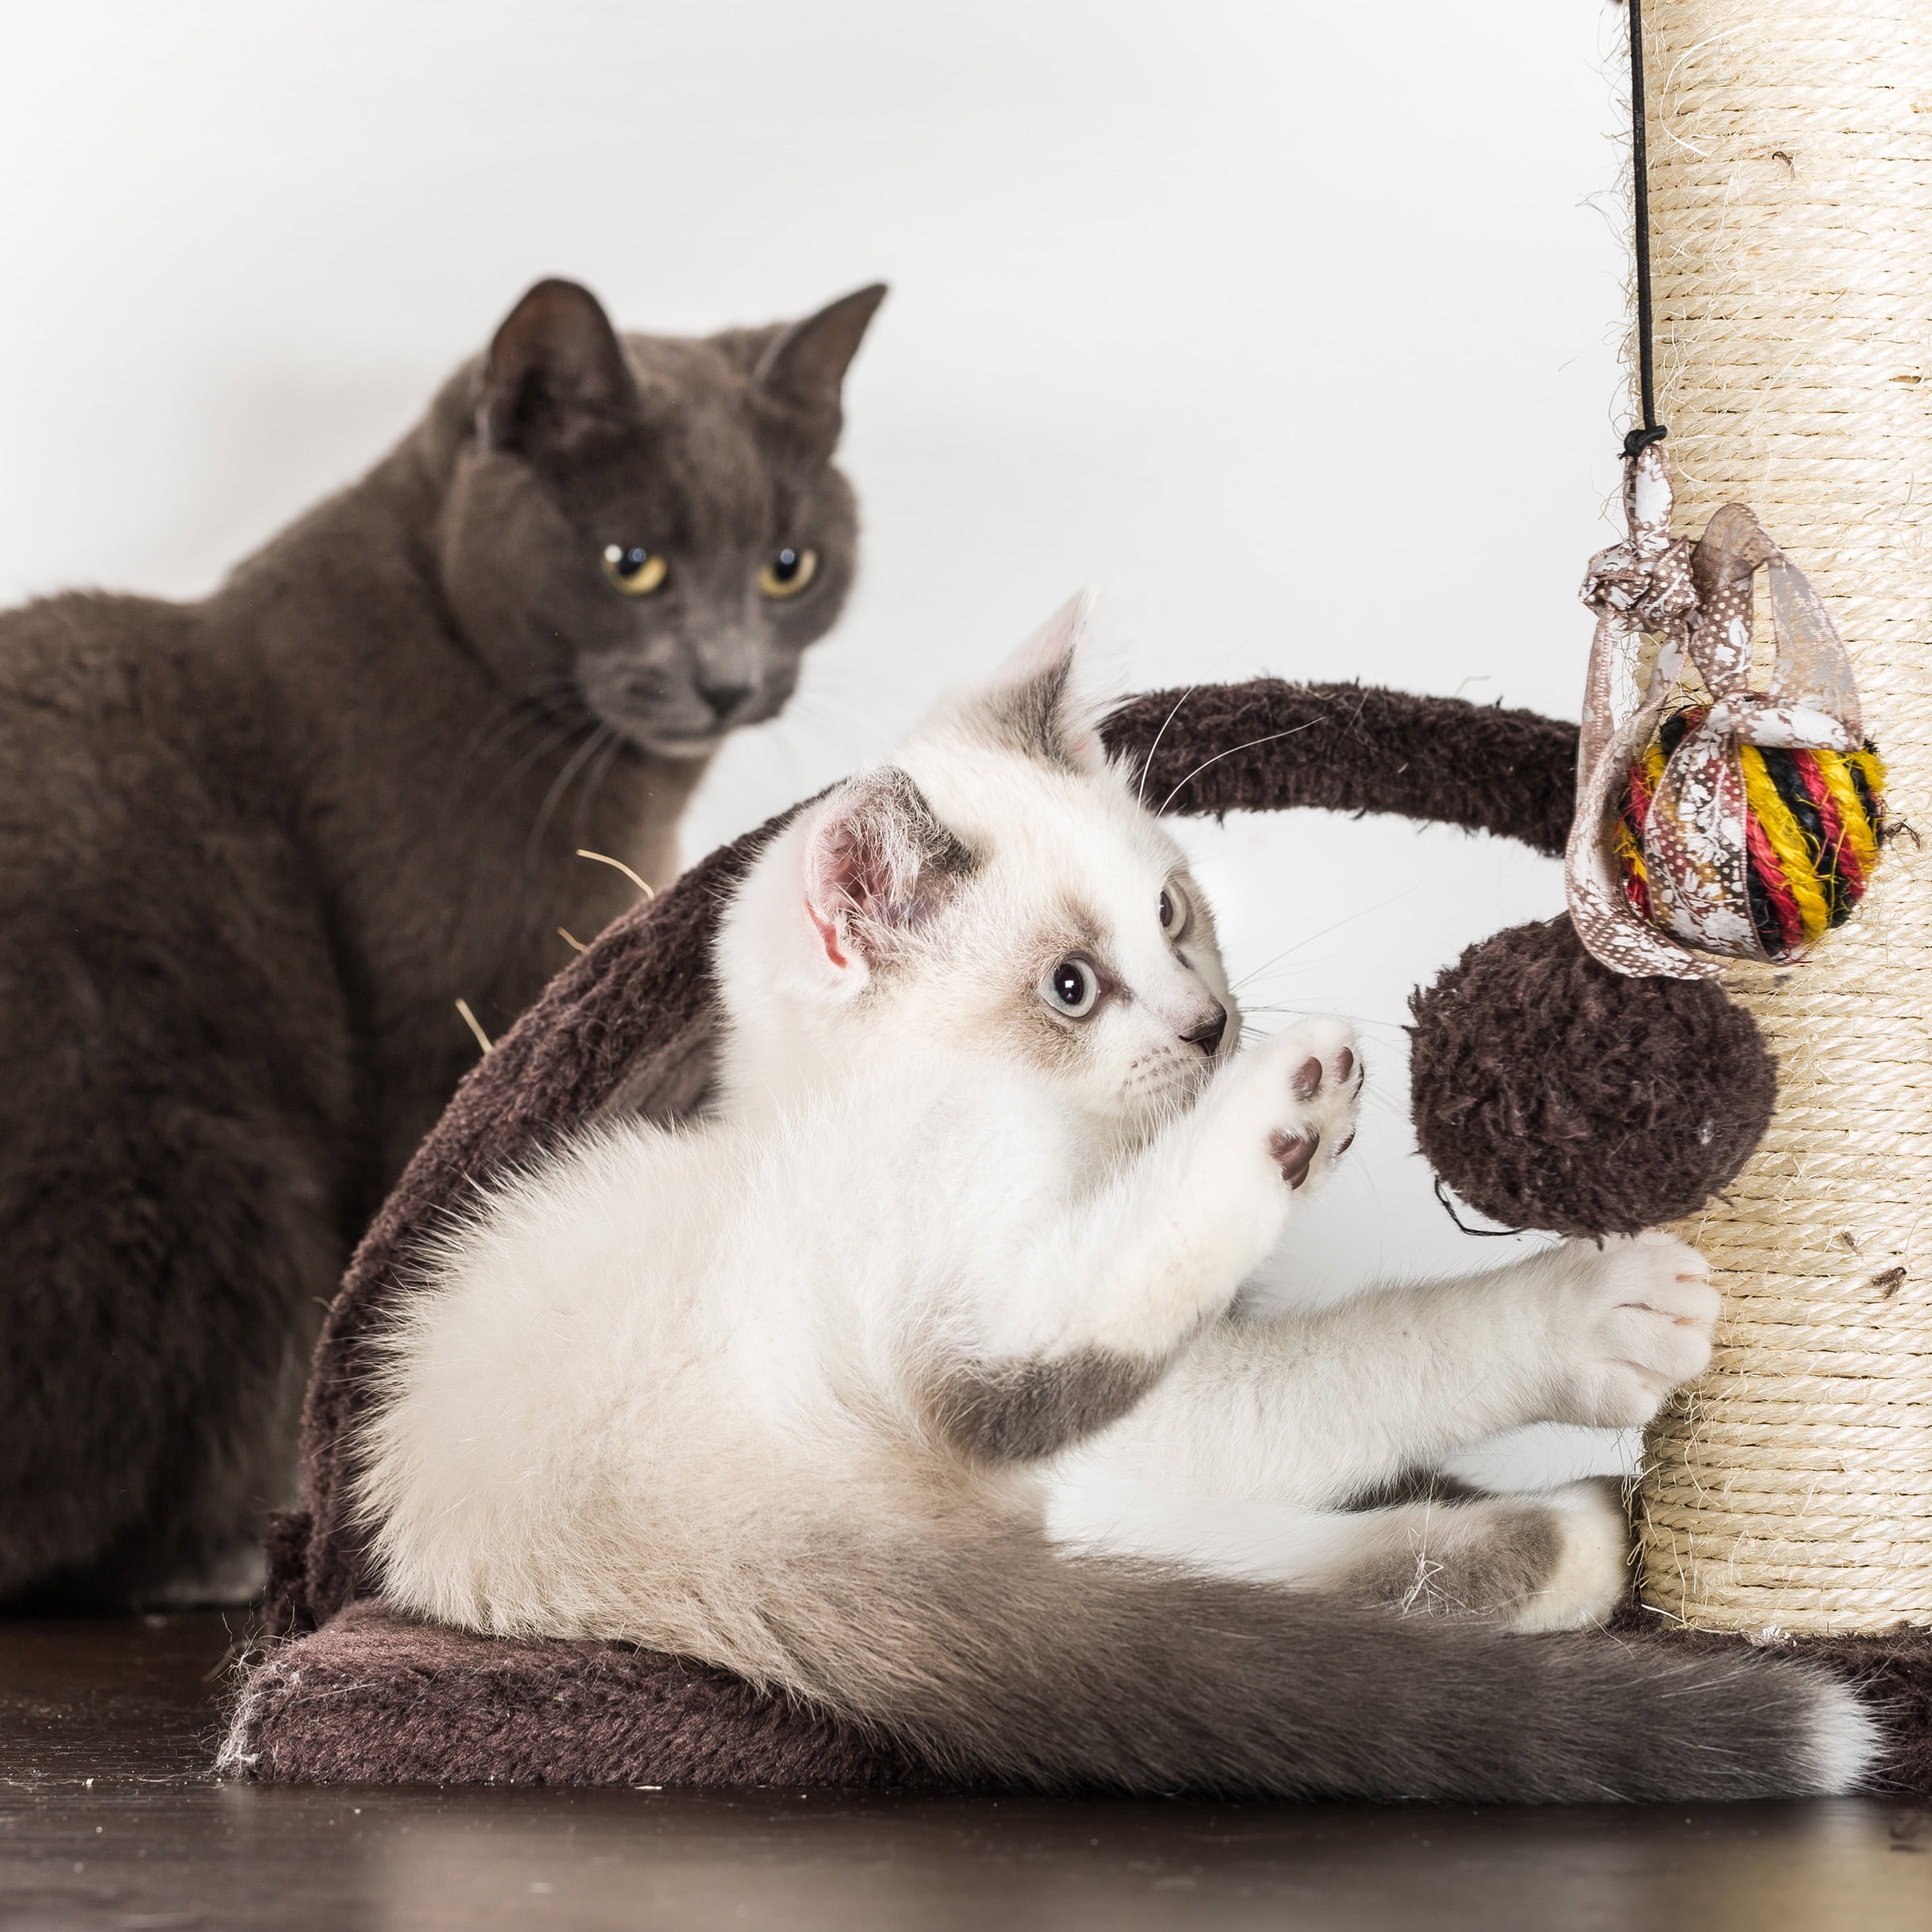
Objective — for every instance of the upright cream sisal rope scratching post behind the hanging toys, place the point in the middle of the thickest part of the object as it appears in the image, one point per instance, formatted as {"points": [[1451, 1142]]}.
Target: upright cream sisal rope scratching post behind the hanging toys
{"points": [[1792, 246]]}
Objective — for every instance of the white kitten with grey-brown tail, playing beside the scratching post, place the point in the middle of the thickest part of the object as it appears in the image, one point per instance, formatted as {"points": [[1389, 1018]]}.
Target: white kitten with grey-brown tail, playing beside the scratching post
{"points": [[787, 1390]]}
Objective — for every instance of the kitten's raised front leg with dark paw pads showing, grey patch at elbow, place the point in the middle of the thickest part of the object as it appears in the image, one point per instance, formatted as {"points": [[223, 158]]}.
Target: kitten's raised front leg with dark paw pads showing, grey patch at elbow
{"points": [[1137, 1268]]}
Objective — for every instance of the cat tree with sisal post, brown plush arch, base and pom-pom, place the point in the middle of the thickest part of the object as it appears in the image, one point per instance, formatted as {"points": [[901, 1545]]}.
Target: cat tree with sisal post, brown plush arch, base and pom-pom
{"points": [[1792, 204]]}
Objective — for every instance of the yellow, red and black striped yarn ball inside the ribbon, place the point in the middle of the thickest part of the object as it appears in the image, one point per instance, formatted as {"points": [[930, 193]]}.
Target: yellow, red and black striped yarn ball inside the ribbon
{"points": [[1815, 822]]}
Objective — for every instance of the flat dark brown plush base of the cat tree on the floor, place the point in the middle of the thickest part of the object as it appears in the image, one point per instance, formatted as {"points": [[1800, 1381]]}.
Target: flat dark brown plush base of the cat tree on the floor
{"points": [[376, 1697]]}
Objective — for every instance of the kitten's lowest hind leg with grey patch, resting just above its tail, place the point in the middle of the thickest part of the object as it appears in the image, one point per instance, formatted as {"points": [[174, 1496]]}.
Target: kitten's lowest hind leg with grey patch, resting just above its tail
{"points": [[1554, 1562]]}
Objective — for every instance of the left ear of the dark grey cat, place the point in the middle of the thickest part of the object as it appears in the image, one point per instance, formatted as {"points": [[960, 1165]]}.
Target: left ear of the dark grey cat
{"points": [[555, 380]]}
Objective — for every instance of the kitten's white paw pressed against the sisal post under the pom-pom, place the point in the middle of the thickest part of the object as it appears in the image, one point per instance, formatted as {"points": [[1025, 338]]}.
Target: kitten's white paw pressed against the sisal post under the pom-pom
{"points": [[1635, 1324]]}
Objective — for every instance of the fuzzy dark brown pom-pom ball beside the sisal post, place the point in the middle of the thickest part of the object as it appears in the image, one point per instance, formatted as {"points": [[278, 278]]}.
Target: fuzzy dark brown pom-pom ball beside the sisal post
{"points": [[1552, 1093]]}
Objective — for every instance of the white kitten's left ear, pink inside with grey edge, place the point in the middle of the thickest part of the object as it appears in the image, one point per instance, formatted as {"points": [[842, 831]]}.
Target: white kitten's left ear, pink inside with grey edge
{"points": [[878, 867]]}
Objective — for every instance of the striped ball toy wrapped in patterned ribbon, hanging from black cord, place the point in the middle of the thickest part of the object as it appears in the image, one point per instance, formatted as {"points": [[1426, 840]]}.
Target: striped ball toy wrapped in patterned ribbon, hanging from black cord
{"points": [[1717, 820]]}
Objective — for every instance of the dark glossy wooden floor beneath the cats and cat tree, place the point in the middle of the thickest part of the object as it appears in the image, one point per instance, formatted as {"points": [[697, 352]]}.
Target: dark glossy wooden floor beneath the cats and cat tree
{"points": [[109, 1819]]}
